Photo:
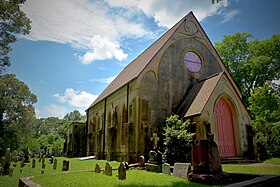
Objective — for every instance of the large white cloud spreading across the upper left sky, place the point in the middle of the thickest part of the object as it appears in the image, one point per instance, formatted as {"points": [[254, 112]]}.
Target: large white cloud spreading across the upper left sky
{"points": [[78, 23]]}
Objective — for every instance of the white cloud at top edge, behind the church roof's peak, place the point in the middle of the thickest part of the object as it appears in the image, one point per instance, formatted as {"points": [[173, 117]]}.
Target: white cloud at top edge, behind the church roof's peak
{"points": [[167, 13]]}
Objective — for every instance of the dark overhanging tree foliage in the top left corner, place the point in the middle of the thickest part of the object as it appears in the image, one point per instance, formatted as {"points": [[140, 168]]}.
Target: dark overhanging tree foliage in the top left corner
{"points": [[12, 21]]}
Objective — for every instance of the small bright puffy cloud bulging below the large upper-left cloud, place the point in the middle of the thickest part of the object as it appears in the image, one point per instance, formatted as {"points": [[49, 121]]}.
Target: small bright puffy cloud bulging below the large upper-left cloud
{"points": [[103, 48]]}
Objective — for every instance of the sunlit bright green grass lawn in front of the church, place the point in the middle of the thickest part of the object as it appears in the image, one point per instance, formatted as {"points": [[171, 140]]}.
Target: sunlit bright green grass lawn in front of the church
{"points": [[134, 177]]}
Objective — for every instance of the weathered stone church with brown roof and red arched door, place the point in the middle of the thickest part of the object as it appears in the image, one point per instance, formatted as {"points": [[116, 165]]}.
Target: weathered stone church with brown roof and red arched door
{"points": [[180, 73]]}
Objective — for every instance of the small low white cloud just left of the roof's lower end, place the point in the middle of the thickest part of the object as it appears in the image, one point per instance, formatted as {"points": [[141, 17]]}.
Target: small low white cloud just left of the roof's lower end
{"points": [[80, 99]]}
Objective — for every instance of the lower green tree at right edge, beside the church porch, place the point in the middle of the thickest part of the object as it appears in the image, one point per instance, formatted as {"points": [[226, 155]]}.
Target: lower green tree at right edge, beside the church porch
{"points": [[265, 109]]}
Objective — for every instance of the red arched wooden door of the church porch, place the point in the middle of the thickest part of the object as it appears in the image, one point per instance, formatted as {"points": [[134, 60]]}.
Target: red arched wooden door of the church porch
{"points": [[224, 124]]}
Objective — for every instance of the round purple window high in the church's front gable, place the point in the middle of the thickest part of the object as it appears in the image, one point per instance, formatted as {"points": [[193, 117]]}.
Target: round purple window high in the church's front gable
{"points": [[192, 61]]}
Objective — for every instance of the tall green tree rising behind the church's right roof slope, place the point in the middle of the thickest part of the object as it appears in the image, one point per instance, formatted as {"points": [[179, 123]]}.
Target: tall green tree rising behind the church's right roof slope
{"points": [[251, 63]]}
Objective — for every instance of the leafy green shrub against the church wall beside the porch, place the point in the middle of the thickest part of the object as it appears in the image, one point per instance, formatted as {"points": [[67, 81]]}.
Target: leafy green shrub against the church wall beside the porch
{"points": [[177, 141]]}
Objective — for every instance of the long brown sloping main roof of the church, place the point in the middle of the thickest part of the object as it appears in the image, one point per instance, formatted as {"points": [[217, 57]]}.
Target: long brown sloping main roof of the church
{"points": [[133, 70]]}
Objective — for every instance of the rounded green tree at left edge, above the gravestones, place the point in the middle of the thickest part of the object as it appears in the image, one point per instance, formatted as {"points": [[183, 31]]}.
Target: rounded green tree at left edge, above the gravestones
{"points": [[17, 113]]}
